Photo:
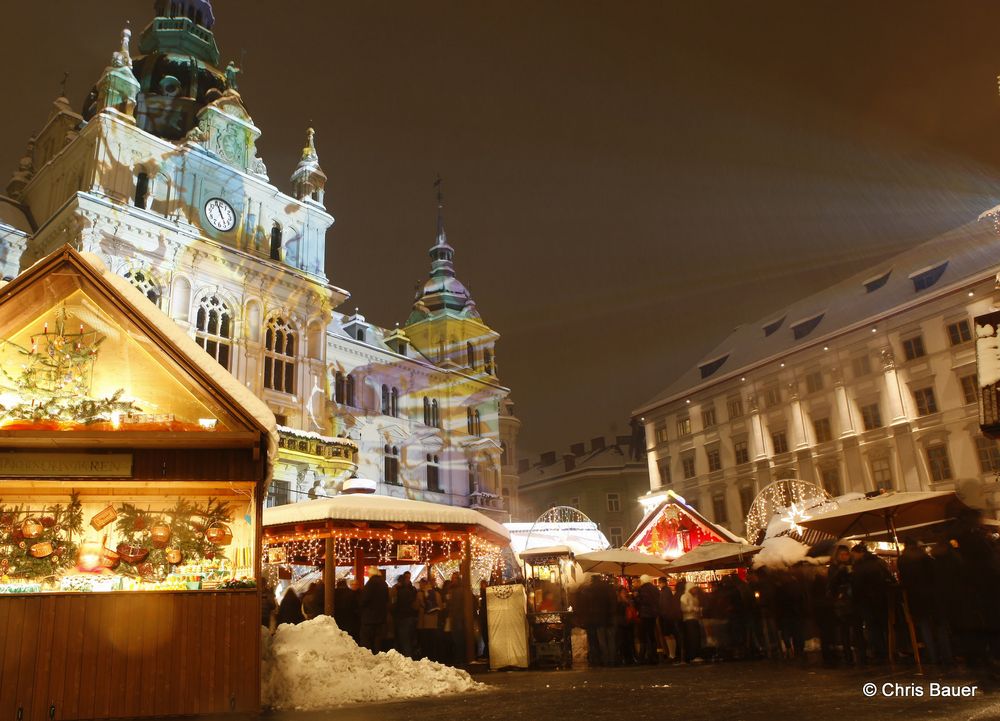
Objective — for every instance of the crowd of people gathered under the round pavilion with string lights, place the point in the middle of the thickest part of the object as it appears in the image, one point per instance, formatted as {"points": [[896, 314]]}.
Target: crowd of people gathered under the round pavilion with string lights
{"points": [[419, 621]]}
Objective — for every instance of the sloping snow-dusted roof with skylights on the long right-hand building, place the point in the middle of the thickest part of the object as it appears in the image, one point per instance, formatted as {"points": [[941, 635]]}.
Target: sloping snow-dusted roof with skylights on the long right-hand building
{"points": [[925, 271]]}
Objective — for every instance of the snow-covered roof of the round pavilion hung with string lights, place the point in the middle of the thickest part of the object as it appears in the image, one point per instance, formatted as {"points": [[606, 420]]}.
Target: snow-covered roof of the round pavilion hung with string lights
{"points": [[385, 509]]}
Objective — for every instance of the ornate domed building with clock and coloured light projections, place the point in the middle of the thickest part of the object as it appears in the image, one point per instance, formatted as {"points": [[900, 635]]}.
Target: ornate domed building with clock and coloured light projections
{"points": [[159, 175]]}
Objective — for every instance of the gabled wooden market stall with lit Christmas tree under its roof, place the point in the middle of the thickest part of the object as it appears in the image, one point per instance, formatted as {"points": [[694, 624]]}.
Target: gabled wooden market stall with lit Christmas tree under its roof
{"points": [[132, 472]]}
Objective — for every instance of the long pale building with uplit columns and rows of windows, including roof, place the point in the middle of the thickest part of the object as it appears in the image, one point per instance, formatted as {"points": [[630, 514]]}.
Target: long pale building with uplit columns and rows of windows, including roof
{"points": [[868, 384]]}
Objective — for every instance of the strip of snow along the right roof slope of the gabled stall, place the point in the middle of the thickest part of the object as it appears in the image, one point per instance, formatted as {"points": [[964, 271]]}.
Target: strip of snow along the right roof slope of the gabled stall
{"points": [[209, 365]]}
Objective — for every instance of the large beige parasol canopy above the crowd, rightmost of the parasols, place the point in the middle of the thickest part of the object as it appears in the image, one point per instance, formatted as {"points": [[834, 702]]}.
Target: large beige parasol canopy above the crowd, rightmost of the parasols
{"points": [[887, 512]]}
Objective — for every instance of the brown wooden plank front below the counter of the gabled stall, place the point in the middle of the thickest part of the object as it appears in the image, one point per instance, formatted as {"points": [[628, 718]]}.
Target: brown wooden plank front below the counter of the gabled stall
{"points": [[130, 655]]}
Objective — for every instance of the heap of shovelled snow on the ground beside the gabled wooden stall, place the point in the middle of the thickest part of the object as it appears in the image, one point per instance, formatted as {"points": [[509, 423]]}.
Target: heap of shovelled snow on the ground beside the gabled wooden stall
{"points": [[315, 665]]}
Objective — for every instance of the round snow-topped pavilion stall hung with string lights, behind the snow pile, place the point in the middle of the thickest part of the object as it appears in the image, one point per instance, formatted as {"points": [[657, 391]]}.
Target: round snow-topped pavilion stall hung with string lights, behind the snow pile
{"points": [[361, 530]]}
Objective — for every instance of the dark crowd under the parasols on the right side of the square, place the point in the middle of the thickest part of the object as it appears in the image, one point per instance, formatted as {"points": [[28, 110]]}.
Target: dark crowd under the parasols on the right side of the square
{"points": [[948, 591]]}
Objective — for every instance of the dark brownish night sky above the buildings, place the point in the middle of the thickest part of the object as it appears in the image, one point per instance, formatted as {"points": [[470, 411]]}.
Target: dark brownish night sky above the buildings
{"points": [[624, 182]]}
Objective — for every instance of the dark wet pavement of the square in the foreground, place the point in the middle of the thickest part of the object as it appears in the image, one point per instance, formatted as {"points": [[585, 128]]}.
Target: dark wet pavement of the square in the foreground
{"points": [[749, 691]]}
